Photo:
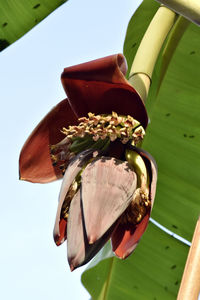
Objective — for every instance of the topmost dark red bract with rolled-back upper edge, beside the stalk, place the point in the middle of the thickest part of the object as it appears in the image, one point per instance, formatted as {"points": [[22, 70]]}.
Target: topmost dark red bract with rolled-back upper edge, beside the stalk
{"points": [[100, 86]]}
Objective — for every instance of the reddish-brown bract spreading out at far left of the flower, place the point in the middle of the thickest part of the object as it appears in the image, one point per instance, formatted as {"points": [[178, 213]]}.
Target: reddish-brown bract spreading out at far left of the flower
{"points": [[35, 162]]}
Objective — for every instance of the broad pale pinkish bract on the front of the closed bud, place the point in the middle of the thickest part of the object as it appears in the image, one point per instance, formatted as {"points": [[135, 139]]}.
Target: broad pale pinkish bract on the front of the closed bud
{"points": [[108, 185]]}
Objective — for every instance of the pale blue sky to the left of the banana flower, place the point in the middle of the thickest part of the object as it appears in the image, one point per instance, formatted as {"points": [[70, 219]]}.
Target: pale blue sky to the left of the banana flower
{"points": [[32, 267]]}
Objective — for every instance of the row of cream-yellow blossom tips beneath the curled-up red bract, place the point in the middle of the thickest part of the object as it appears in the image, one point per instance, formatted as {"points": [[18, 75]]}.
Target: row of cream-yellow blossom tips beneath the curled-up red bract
{"points": [[101, 126]]}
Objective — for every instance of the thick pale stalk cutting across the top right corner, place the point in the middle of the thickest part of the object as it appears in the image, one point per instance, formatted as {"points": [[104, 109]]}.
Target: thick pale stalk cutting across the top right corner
{"points": [[188, 9]]}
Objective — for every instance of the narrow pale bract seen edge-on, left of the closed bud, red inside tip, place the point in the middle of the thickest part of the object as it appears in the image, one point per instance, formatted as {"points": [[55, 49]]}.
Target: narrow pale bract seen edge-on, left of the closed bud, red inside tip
{"points": [[73, 169]]}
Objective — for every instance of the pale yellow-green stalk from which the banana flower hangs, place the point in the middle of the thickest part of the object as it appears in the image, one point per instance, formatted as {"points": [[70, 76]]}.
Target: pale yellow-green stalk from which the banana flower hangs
{"points": [[148, 51]]}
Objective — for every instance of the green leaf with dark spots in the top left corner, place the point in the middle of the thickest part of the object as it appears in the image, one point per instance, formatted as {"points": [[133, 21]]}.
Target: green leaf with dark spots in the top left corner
{"points": [[19, 16]]}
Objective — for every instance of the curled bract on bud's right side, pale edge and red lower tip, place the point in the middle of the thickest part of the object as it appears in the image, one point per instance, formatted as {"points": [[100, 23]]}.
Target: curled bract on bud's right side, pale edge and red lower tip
{"points": [[126, 237]]}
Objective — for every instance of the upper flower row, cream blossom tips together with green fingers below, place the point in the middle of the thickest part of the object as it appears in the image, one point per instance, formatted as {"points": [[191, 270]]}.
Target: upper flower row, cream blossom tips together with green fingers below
{"points": [[96, 131]]}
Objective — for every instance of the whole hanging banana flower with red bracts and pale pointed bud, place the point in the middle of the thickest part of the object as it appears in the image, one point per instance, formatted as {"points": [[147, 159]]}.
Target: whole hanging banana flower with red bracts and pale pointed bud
{"points": [[89, 140]]}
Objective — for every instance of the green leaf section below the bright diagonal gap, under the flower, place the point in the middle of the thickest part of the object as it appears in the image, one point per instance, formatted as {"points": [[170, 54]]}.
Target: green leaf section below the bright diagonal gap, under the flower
{"points": [[153, 271]]}
